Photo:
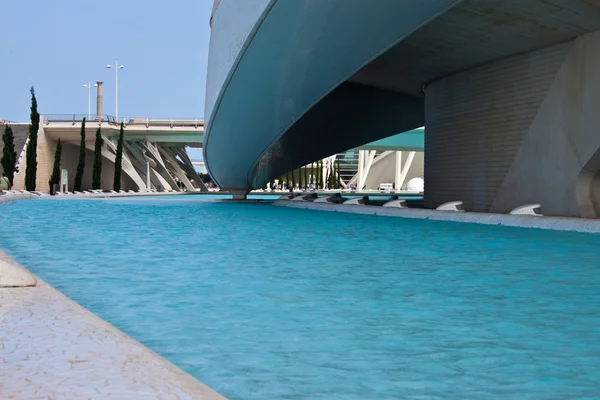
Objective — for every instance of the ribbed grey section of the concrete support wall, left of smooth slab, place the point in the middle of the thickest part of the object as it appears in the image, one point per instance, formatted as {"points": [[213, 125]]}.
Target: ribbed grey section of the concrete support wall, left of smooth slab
{"points": [[476, 121]]}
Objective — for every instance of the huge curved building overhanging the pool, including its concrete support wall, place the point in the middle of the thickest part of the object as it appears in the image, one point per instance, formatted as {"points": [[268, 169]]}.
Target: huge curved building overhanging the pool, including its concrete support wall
{"points": [[508, 91]]}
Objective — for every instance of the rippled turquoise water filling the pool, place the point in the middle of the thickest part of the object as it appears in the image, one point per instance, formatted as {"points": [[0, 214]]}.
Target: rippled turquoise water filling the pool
{"points": [[262, 302]]}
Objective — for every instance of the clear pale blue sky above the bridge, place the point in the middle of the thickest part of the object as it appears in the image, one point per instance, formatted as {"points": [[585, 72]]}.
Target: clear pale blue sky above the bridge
{"points": [[59, 45]]}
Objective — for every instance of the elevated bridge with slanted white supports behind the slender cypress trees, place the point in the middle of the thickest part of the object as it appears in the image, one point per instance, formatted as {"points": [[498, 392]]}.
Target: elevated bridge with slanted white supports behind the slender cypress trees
{"points": [[154, 151]]}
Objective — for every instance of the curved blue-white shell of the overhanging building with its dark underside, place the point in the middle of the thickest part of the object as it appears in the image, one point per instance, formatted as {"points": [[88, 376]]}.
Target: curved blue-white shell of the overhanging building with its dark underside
{"points": [[277, 95]]}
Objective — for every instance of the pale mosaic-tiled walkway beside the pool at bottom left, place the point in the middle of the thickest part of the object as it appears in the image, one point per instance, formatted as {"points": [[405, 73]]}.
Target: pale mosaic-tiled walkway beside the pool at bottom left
{"points": [[52, 348]]}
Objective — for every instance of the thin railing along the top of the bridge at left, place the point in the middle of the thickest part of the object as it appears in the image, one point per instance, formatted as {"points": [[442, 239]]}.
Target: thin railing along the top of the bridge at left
{"points": [[127, 121]]}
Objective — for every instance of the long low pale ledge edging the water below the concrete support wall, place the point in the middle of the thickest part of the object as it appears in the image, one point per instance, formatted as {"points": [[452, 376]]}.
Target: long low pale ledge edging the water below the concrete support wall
{"points": [[523, 221]]}
